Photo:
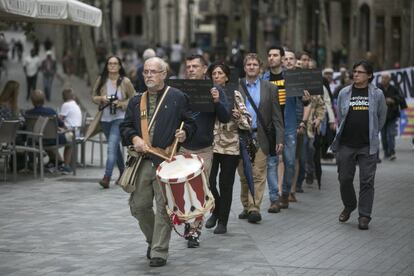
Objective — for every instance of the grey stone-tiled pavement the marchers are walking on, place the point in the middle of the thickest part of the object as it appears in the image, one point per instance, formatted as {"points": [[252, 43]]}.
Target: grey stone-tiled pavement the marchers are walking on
{"points": [[69, 226]]}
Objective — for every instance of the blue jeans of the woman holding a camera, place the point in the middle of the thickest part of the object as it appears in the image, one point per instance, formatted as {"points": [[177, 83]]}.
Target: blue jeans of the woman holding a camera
{"points": [[113, 136]]}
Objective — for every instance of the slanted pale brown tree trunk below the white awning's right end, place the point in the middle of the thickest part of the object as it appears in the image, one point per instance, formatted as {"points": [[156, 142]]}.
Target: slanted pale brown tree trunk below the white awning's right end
{"points": [[88, 48]]}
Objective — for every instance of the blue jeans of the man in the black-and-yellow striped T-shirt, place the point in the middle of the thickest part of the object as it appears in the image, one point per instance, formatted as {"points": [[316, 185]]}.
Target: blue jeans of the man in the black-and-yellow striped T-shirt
{"points": [[289, 151]]}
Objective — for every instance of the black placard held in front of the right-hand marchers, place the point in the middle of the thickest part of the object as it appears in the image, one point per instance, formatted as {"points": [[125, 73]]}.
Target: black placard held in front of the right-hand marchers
{"points": [[303, 79]]}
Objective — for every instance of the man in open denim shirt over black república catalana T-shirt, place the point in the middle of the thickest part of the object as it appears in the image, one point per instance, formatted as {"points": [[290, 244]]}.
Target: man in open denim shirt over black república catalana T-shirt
{"points": [[361, 107]]}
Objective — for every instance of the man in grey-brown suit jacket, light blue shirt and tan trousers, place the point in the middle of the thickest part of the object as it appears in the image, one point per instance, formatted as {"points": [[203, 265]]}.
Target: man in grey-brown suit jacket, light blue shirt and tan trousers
{"points": [[265, 96]]}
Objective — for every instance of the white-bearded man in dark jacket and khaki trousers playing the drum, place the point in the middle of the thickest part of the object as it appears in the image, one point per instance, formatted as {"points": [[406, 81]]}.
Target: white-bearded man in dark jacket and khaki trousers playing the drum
{"points": [[174, 110]]}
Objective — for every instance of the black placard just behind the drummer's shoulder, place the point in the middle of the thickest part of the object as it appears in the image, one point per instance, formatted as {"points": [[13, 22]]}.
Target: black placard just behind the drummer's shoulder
{"points": [[198, 91]]}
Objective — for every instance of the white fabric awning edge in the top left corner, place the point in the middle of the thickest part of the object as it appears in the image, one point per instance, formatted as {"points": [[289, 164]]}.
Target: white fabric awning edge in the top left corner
{"points": [[71, 12]]}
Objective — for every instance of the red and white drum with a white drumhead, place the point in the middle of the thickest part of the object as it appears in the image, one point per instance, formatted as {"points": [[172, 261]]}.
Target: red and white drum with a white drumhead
{"points": [[185, 187]]}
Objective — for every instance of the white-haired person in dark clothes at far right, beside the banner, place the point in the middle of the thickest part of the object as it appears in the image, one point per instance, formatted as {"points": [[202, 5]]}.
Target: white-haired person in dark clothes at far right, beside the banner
{"points": [[389, 131]]}
